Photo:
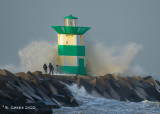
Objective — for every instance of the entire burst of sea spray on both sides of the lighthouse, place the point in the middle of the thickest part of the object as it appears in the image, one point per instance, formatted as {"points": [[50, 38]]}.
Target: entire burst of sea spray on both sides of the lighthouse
{"points": [[100, 59]]}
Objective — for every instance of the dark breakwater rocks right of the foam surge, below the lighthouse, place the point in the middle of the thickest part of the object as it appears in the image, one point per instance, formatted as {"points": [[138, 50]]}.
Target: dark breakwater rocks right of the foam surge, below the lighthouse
{"points": [[110, 86]]}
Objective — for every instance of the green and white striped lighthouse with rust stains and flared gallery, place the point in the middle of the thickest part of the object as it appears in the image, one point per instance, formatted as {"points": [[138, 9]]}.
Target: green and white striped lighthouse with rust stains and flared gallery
{"points": [[71, 47]]}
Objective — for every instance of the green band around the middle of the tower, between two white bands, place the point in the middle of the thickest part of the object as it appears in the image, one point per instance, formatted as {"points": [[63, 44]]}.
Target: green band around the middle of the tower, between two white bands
{"points": [[71, 50]]}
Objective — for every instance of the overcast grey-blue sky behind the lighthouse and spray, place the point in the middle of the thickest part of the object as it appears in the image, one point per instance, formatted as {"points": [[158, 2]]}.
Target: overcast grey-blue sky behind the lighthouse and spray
{"points": [[112, 22]]}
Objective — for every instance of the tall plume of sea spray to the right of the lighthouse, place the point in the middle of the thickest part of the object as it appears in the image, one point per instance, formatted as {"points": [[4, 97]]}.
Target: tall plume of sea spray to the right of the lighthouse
{"points": [[102, 59]]}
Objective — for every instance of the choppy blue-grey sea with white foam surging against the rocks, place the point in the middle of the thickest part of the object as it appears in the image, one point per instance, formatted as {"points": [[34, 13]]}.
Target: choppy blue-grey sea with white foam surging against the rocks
{"points": [[99, 105]]}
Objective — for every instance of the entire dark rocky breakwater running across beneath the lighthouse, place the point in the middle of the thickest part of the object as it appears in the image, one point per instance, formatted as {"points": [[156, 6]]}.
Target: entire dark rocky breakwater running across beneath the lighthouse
{"points": [[40, 93]]}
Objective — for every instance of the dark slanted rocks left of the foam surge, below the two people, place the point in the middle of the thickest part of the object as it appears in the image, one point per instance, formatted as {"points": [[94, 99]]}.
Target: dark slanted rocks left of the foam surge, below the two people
{"points": [[32, 93]]}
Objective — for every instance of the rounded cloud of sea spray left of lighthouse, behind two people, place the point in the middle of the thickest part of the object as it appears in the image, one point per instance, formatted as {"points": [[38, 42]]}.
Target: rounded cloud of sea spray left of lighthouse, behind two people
{"points": [[34, 55]]}
